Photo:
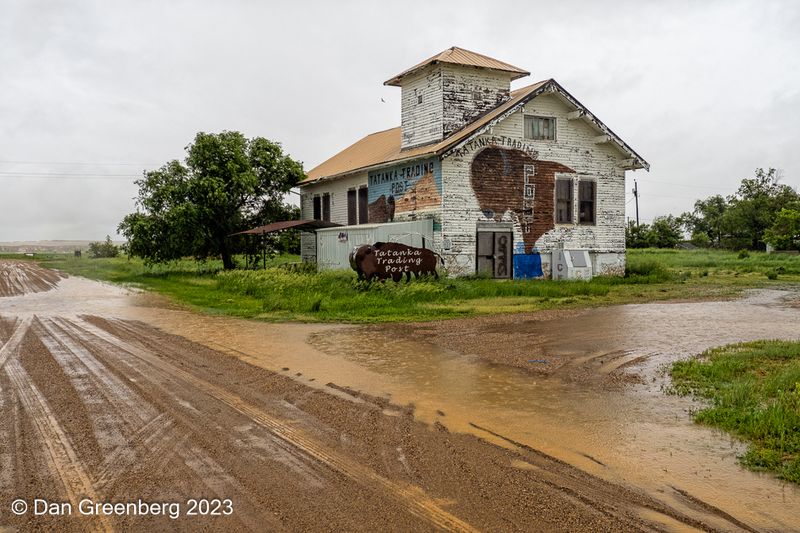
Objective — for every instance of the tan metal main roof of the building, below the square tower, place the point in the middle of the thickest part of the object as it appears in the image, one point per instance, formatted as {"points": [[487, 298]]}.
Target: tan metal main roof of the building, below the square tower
{"points": [[383, 147]]}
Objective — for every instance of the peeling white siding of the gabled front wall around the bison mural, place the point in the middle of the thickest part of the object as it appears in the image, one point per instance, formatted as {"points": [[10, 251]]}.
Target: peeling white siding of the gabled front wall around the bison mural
{"points": [[574, 147]]}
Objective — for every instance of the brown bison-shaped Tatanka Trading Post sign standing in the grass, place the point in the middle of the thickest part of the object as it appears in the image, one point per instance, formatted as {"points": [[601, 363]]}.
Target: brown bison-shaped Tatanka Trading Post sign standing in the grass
{"points": [[384, 260]]}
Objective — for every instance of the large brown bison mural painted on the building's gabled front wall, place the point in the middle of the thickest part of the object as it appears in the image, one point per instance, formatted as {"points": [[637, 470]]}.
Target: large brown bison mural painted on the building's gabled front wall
{"points": [[510, 179]]}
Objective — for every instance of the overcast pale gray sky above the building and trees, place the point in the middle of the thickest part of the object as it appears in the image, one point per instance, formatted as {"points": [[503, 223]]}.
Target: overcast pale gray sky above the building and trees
{"points": [[94, 92]]}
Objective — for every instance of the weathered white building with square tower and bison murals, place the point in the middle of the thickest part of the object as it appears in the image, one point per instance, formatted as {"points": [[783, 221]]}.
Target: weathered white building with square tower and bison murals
{"points": [[523, 183]]}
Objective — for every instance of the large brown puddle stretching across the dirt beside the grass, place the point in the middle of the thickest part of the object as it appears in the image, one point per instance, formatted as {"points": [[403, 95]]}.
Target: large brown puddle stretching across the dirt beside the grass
{"points": [[634, 434]]}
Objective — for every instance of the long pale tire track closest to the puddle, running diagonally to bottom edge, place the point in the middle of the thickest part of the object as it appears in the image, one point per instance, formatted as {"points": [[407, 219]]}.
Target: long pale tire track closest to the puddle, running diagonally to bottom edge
{"points": [[413, 499]]}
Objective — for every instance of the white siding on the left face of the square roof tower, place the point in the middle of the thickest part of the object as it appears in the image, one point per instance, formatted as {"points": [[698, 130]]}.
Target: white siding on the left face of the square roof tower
{"points": [[421, 123]]}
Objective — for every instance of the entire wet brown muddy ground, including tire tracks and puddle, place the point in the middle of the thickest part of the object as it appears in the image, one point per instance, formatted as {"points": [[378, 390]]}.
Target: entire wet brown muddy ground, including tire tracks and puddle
{"points": [[113, 395]]}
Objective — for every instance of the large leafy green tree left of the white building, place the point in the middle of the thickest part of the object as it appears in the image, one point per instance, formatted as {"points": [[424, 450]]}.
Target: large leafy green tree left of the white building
{"points": [[226, 183]]}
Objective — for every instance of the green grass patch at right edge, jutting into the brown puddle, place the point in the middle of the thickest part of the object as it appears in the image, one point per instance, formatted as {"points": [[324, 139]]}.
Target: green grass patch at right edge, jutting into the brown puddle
{"points": [[754, 393]]}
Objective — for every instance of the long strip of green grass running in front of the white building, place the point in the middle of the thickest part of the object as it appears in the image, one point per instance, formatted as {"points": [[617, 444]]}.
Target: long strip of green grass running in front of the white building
{"points": [[280, 294]]}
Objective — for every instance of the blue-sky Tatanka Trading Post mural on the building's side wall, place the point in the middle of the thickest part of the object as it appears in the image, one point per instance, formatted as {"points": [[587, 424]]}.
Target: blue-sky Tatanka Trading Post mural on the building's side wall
{"points": [[404, 189]]}
